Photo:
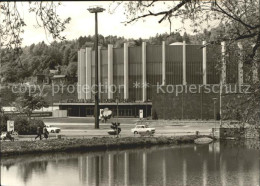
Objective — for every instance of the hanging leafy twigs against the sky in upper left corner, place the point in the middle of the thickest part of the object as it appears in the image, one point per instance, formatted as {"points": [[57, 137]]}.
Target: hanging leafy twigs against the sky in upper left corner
{"points": [[13, 23]]}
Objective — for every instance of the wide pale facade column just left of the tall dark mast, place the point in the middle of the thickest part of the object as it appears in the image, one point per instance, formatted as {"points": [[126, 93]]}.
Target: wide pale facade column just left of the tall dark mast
{"points": [[88, 72]]}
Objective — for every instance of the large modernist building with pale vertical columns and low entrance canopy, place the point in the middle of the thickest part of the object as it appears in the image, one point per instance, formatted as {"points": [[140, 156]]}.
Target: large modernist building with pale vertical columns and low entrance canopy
{"points": [[130, 73]]}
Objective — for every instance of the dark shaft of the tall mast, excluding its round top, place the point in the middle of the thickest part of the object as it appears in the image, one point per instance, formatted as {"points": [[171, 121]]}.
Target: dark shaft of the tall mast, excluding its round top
{"points": [[96, 75]]}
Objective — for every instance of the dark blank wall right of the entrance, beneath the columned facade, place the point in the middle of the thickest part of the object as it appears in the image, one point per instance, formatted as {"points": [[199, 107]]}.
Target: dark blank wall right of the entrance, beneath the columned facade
{"points": [[185, 105]]}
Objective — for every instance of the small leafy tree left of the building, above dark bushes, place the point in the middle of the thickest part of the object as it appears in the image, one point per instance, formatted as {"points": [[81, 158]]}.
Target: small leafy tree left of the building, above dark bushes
{"points": [[29, 101]]}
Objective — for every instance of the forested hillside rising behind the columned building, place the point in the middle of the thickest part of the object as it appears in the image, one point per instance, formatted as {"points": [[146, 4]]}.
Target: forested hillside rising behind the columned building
{"points": [[41, 58]]}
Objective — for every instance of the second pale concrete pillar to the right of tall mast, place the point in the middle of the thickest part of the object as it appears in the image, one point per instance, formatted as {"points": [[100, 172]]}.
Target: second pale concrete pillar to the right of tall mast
{"points": [[110, 71]]}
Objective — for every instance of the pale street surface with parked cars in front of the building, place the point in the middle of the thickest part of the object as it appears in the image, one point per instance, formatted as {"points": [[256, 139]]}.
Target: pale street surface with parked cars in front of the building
{"points": [[84, 127]]}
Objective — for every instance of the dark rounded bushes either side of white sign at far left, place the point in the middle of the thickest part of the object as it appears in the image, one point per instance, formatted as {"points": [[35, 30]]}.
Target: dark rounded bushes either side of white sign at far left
{"points": [[22, 125]]}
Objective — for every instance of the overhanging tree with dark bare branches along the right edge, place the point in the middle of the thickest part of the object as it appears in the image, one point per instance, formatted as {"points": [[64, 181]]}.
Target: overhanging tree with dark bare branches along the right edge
{"points": [[233, 21]]}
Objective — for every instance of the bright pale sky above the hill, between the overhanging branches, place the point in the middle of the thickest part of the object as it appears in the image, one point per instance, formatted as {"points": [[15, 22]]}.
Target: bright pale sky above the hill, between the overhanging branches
{"points": [[82, 23]]}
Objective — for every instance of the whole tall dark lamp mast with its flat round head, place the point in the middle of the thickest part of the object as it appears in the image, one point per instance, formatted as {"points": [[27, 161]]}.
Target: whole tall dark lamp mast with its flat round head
{"points": [[96, 10]]}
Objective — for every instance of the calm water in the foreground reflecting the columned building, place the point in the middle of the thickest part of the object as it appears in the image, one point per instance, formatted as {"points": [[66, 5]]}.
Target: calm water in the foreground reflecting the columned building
{"points": [[224, 163]]}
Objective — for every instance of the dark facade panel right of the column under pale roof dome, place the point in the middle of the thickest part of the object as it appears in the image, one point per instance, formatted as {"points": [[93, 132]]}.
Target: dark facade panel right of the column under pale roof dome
{"points": [[194, 64]]}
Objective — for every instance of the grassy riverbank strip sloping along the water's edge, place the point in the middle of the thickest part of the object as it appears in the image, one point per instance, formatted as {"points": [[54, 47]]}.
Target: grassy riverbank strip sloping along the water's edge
{"points": [[9, 148]]}
